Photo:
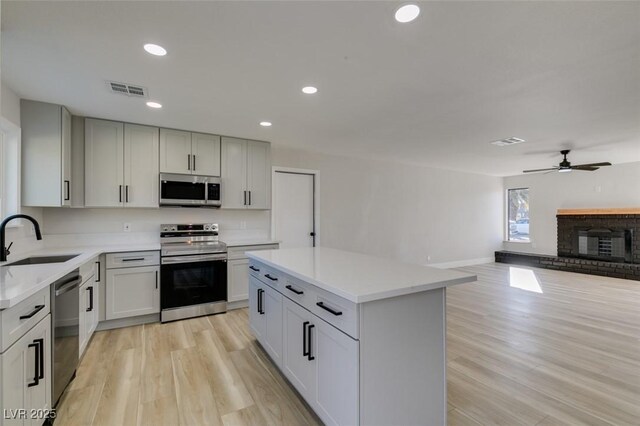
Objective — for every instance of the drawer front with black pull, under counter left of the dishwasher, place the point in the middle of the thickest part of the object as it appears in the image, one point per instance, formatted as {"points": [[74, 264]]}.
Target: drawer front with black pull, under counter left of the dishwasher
{"points": [[18, 320]]}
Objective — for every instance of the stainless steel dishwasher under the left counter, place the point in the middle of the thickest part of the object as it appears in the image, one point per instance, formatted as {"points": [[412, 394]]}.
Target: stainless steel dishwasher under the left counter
{"points": [[65, 327]]}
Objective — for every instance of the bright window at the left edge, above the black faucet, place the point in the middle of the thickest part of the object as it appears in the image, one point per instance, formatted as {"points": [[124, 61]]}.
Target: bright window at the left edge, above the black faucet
{"points": [[9, 168]]}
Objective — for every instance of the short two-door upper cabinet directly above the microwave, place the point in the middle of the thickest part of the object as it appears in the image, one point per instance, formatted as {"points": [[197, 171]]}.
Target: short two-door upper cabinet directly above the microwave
{"points": [[189, 153]]}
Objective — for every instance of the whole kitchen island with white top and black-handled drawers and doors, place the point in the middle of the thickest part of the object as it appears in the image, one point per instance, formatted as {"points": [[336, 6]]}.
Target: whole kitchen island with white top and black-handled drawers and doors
{"points": [[361, 338]]}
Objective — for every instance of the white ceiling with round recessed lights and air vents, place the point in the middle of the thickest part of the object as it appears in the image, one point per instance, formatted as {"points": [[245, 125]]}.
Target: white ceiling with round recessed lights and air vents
{"points": [[433, 92]]}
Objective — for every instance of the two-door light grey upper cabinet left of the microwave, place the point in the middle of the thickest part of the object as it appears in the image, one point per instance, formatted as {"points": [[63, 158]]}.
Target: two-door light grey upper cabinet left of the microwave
{"points": [[121, 164]]}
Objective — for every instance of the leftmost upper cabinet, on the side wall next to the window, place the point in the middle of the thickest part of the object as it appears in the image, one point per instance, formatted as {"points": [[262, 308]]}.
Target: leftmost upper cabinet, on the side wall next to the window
{"points": [[46, 154]]}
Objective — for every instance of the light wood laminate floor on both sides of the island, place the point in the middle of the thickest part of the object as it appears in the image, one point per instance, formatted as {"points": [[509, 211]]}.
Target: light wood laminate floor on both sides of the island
{"points": [[525, 347]]}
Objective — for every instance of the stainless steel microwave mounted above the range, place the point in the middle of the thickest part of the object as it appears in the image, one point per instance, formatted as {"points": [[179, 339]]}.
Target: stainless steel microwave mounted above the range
{"points": [[190, 190]]}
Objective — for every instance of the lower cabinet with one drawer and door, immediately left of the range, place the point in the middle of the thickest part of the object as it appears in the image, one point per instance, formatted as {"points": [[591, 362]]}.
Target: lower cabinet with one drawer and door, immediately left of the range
{"points": [[133, 285]]}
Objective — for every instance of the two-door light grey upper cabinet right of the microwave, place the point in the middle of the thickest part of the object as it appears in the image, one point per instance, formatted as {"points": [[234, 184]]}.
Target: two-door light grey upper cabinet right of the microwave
{"points": [[246, 174]]}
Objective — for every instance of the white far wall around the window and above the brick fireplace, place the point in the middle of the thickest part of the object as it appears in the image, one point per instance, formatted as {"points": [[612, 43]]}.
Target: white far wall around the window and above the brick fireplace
{"points": [[609, 187]]}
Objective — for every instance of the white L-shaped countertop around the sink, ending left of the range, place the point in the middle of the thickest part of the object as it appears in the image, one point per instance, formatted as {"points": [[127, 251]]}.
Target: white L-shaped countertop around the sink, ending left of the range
{"points": [[19, 282]]}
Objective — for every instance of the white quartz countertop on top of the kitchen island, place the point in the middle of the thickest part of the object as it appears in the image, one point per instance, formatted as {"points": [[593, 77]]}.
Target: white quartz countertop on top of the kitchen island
{"points": [[357, 277]]}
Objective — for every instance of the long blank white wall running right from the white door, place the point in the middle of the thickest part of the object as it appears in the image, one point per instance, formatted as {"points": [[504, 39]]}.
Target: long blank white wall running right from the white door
{"points": [[401, 211]]}
